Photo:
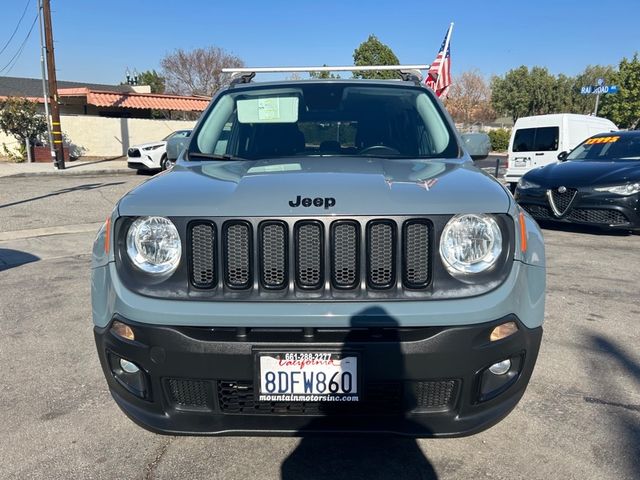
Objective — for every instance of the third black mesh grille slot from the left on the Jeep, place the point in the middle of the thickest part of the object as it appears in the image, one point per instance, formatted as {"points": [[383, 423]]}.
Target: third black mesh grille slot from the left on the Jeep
{"points": [[274, 255]]}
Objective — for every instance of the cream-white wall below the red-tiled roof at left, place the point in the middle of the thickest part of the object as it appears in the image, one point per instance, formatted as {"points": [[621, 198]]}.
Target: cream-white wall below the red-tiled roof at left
{"points": [[91, 136]]}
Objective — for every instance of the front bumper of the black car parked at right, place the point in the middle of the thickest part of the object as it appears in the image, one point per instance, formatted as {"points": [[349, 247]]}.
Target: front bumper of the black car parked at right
{"points": [[597, 209]]}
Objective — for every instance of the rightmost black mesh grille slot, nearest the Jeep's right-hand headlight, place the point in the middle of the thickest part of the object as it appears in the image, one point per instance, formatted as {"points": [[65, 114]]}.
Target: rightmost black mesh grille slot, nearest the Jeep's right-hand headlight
{"points": [[416, 254]]}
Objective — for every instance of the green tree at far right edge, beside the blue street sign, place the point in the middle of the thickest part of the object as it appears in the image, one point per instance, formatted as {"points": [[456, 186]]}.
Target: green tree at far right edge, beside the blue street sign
{"points": [[623, 108]]}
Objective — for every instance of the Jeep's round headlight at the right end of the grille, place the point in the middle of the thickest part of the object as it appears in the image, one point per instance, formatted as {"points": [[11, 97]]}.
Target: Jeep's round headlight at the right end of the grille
{"points": [[470, 243]]}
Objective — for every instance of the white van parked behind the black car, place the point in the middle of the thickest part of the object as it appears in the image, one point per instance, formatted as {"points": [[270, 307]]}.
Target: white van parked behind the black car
{"points": [[537, 141]]}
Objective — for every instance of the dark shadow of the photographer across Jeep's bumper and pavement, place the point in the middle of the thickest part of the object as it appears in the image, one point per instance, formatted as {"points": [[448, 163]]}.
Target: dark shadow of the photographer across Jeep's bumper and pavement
{"points": [[325, 452]]}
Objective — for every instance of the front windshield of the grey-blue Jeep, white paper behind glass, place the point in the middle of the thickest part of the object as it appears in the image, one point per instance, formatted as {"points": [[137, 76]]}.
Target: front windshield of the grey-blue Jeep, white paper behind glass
{"points": [[324, 119]]}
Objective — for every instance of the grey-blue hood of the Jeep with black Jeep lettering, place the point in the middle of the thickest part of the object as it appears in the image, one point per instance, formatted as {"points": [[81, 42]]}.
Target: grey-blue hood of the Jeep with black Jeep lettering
{"points": [[360, 186]]}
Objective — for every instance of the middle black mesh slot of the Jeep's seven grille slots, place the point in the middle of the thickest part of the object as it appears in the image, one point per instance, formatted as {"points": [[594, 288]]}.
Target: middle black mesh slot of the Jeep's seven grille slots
{"points": [[309, 255]]}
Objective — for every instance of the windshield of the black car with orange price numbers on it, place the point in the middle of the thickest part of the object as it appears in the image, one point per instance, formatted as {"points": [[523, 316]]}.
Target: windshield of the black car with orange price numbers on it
{"points": [[608, 148]]}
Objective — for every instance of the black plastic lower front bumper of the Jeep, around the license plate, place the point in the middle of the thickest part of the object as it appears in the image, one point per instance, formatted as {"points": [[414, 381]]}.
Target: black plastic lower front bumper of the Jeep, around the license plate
{"points": [[422, 382]]}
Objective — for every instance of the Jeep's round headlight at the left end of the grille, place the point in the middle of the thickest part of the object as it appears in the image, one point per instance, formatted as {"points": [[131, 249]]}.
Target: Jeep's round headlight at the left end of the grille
{"points": [[153, 245]]}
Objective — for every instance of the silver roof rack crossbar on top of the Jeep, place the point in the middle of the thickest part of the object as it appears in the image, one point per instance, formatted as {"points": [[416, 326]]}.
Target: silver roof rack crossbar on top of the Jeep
{"points": [[407, 72]]}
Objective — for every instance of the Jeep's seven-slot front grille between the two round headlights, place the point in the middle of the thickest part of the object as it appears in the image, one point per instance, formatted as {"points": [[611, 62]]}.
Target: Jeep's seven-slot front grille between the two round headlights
{"points": [[310, 257]]}
